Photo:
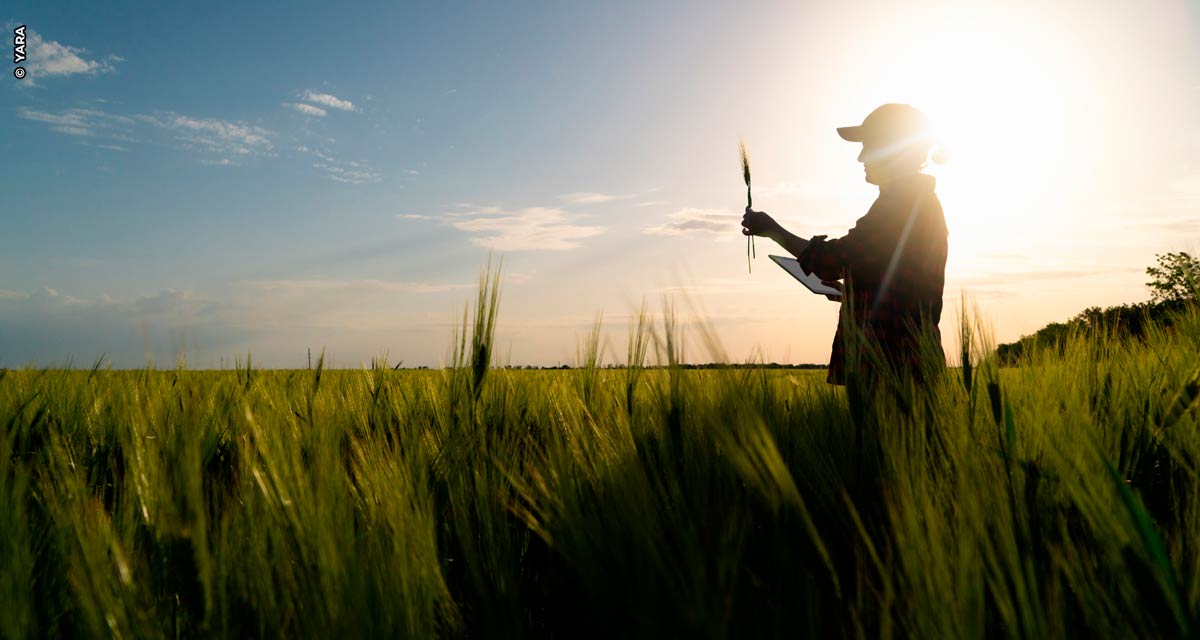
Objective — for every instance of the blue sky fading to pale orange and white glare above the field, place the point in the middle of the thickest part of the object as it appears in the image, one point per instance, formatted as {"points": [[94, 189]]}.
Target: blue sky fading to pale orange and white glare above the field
{"points": [[271, 178]]}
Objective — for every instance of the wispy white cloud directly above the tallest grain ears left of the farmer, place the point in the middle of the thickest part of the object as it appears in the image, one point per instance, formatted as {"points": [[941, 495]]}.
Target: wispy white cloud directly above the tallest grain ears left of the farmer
{"points": [[536, 229]]}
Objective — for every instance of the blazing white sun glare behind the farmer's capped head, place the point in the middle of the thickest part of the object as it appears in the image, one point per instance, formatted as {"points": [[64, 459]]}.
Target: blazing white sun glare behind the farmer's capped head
{"points": [[1007, 107]]}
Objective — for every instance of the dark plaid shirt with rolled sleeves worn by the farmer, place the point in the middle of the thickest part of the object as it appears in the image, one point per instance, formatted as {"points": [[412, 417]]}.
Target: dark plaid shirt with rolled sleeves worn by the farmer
{"points": [[895, 261]]}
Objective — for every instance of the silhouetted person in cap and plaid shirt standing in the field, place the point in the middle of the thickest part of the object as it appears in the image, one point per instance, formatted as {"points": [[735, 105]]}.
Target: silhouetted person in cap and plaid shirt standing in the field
{"points": [[893, 261]]}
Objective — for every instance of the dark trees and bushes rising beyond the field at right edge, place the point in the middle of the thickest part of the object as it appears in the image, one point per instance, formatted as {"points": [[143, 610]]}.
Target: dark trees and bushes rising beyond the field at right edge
{"points": [[1174, 288]]}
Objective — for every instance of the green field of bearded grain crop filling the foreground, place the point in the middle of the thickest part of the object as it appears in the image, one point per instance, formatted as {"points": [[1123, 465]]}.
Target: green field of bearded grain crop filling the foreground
{"points": [[1051, 500]]}
